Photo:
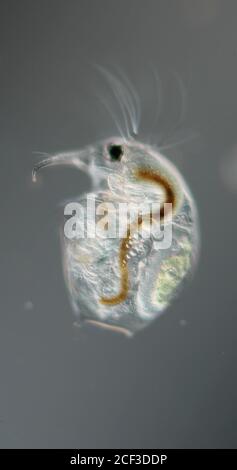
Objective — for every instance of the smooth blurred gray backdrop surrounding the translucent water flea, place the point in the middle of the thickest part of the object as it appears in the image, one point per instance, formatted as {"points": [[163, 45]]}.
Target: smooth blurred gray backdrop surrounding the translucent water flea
{"points": [[174, 384]]}
